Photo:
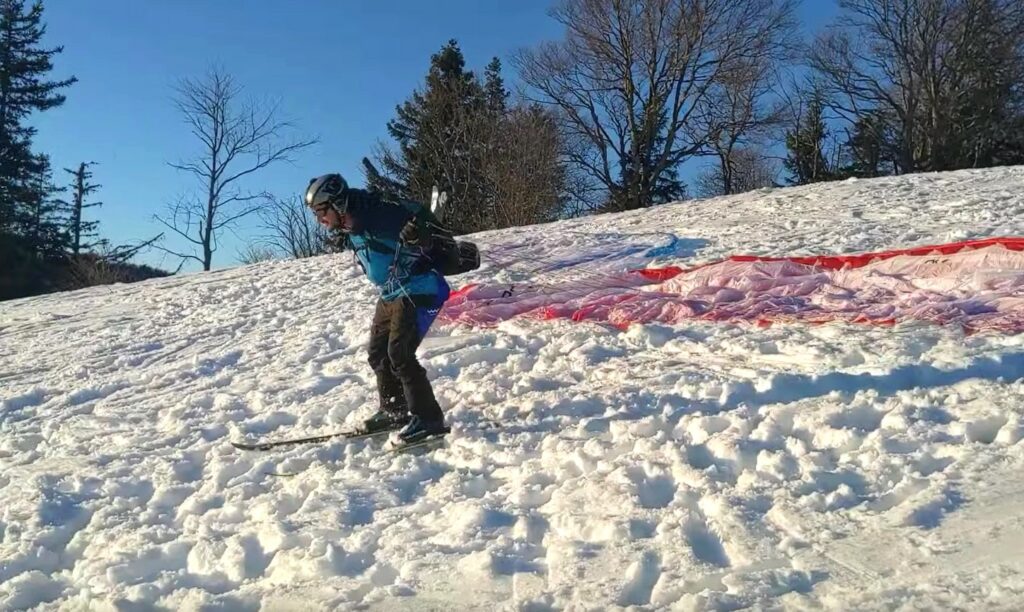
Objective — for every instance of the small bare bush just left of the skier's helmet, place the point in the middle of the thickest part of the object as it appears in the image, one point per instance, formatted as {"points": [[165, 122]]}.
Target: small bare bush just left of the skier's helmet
{"points": [[292, 231]]}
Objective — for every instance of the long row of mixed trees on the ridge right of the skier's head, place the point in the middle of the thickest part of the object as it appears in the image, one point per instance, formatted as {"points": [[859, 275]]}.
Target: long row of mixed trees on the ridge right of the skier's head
{"points": [[608, 118]]}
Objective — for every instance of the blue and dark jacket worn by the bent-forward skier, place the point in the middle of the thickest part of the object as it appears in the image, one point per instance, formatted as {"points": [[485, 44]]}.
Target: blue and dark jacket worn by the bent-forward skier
{"points": [[397, 270]]}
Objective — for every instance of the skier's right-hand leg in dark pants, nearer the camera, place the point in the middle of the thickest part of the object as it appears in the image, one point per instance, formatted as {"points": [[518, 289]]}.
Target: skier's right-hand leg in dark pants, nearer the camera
{"points": [[409, 325]]}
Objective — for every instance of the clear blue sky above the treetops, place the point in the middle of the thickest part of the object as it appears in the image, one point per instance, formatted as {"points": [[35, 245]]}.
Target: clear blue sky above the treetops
{"points": [[337, 68]]}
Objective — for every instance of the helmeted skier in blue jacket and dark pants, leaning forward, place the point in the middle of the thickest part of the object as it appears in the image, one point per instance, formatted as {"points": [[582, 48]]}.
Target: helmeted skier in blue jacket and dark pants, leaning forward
{"points": [[391, 241]]}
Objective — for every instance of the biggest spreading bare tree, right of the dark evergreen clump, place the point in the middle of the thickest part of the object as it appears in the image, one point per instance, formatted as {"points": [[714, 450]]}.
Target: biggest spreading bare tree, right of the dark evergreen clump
{"points": [[631, 78]]}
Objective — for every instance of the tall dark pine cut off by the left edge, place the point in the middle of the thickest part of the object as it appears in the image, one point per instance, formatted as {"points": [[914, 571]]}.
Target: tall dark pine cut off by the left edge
{"points": [[24, 91]]}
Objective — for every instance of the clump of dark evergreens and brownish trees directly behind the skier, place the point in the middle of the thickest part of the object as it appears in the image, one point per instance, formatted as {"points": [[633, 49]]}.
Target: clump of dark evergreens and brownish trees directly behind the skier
{"points": [[499, 164]]}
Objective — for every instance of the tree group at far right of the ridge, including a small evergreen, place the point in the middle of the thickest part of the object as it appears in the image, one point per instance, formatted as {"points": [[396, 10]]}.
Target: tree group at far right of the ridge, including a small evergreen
{"points": [[913, 86]]}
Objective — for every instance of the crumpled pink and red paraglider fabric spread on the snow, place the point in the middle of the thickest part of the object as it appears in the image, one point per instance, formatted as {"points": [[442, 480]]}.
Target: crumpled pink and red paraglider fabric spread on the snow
{"points": [[978, 285]]}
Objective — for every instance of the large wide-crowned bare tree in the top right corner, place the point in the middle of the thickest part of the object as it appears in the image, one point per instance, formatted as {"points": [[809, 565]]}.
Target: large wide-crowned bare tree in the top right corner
{"points": [[942, 71]]}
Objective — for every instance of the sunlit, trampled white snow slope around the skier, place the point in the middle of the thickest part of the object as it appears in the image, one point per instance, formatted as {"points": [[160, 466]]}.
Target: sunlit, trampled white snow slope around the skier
{"points": [[699, 466]]}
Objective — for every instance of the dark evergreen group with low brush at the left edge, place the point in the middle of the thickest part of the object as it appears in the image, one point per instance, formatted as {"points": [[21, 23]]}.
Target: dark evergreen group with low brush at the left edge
{"points": [[48, 242]]}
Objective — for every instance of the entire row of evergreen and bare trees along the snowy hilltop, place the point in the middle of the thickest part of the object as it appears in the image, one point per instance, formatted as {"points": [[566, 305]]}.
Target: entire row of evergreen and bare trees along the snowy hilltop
{"points": [[610, 118]]}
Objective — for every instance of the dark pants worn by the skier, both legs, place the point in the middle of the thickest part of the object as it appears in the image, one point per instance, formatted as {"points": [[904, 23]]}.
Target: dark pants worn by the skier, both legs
{"points": [[397, 332]]}
